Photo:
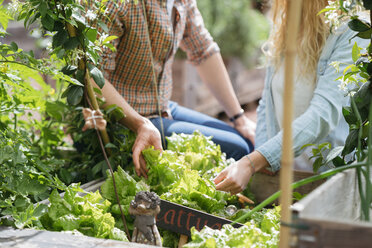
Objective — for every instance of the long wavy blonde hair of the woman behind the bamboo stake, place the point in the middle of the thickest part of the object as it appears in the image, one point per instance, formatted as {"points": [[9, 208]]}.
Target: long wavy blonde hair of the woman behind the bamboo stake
{"points": [[313, 33]]}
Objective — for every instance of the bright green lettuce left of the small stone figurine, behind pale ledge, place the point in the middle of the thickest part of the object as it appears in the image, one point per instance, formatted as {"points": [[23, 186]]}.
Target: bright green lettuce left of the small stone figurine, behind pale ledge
{"points": [[85, 214]]}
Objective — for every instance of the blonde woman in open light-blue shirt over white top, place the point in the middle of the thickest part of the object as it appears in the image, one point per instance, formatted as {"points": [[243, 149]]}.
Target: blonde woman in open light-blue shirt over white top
{"points": [[318, 100]]}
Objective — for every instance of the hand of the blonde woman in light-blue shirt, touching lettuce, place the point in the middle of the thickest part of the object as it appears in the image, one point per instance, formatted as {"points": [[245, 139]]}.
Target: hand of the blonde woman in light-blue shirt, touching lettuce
{"points": [[234, 178]]}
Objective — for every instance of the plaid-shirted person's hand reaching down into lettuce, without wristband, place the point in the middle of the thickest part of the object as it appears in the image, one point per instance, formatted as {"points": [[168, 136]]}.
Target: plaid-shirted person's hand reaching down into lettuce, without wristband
{"points": [[147, 135]]}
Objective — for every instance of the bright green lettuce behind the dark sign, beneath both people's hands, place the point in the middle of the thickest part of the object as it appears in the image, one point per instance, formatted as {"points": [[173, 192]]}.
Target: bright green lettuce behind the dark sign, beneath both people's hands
{"points": [[175, 177]]}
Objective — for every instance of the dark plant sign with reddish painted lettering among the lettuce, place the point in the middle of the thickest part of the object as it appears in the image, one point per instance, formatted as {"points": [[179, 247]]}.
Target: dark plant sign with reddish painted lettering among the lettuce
{"points": [[180, 219]]}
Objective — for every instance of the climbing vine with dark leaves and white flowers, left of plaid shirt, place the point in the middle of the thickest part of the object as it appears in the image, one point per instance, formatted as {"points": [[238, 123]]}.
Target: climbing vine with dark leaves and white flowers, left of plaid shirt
{"points": [[77, 39]]}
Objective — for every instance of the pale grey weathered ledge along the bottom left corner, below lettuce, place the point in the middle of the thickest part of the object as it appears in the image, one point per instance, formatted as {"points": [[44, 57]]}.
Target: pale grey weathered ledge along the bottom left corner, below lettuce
{"points": [[28, 238]]}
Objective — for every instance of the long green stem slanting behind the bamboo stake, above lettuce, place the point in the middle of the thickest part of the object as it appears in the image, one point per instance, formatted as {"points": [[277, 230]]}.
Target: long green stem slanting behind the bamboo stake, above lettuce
{"points": [[297, 184]]}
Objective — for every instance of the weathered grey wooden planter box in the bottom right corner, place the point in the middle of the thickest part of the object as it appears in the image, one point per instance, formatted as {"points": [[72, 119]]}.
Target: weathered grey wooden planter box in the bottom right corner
{"points": [[329, 216]]}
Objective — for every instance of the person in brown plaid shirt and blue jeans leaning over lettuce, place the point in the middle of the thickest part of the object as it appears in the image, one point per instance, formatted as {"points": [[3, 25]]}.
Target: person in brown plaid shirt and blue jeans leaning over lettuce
{"points": [[139, 78]]}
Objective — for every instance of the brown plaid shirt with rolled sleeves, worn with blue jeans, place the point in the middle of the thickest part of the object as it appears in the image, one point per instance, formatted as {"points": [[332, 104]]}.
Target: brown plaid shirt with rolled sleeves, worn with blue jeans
{"points": [[129, 69]]}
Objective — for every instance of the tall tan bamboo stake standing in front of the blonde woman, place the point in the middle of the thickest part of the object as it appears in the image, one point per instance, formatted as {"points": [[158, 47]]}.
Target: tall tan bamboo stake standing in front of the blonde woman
{"points": [[286, 174]]}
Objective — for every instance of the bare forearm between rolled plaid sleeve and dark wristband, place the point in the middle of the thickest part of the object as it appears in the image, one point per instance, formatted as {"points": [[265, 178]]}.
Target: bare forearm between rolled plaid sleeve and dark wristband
{"points": [[214, 74]]}
